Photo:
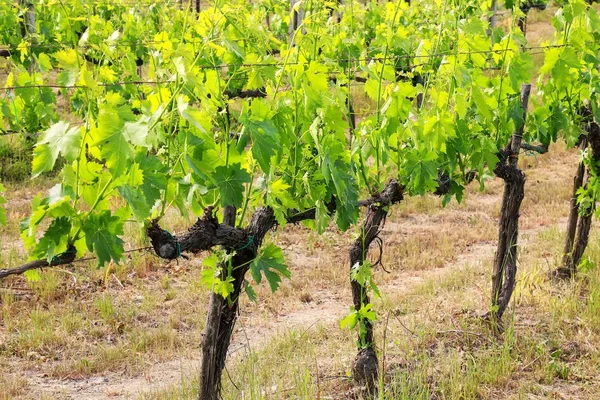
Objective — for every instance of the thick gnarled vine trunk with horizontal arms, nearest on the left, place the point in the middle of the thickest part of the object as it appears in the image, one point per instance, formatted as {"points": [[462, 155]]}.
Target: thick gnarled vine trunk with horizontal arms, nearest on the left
{"points": [[206, 233]]}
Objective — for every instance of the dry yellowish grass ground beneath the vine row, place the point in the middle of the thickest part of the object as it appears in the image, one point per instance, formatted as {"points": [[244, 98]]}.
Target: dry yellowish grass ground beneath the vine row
{"points": [[130, 323]]}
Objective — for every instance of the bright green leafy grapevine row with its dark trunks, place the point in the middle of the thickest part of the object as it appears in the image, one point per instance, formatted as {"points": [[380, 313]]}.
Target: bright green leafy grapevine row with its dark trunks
{"points": [[246, 120]]}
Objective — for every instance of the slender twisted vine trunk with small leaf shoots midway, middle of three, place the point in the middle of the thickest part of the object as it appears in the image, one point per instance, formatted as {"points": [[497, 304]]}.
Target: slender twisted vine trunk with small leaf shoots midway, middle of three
{"points": [[365, 368]]}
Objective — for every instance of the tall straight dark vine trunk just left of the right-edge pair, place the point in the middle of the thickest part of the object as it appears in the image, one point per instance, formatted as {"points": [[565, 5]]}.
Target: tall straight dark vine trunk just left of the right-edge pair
{"points": [[505, 260]]}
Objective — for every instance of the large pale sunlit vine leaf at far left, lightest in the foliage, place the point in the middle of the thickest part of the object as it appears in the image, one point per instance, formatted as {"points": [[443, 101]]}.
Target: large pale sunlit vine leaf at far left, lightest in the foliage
{"points": [[58, 139]]}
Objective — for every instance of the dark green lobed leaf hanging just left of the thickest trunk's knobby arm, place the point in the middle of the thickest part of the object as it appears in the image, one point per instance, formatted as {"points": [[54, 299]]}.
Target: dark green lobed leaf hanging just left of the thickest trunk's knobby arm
{"points": [[101, 236]]}
